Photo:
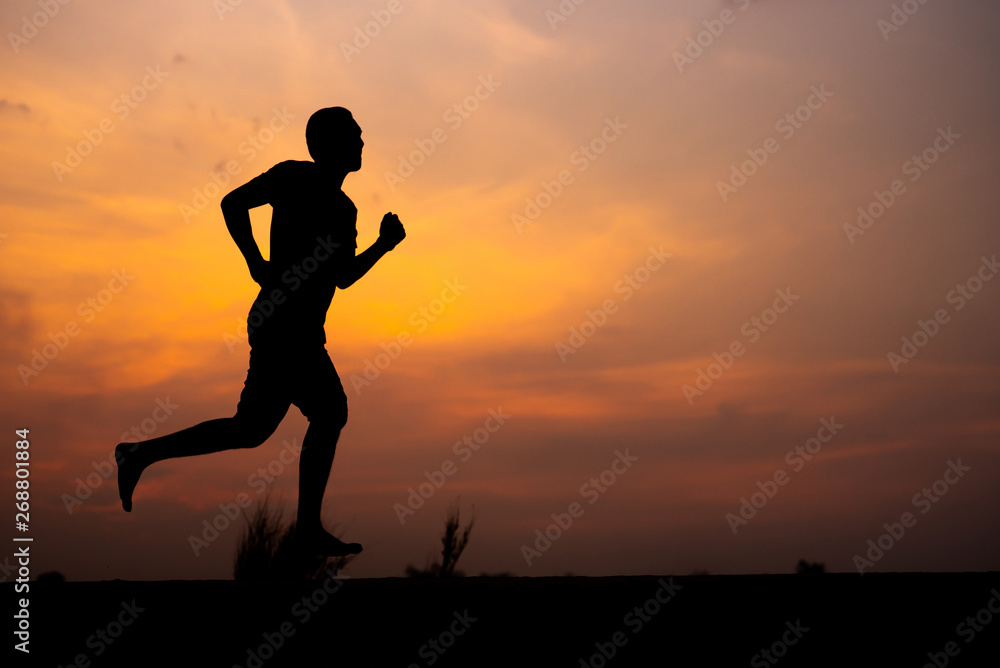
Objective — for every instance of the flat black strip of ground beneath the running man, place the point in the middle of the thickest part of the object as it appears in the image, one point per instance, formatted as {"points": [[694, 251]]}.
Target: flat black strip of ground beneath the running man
{"points": [[835, 619]]}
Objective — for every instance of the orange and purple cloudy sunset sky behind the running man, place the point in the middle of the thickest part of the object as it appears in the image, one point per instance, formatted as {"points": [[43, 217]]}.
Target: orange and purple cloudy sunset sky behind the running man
{"points": [[633, 229]]}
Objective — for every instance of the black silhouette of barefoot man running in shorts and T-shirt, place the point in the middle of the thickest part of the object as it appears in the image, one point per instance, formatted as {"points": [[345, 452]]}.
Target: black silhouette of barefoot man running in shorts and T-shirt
{"points": [[313, 244]]}
